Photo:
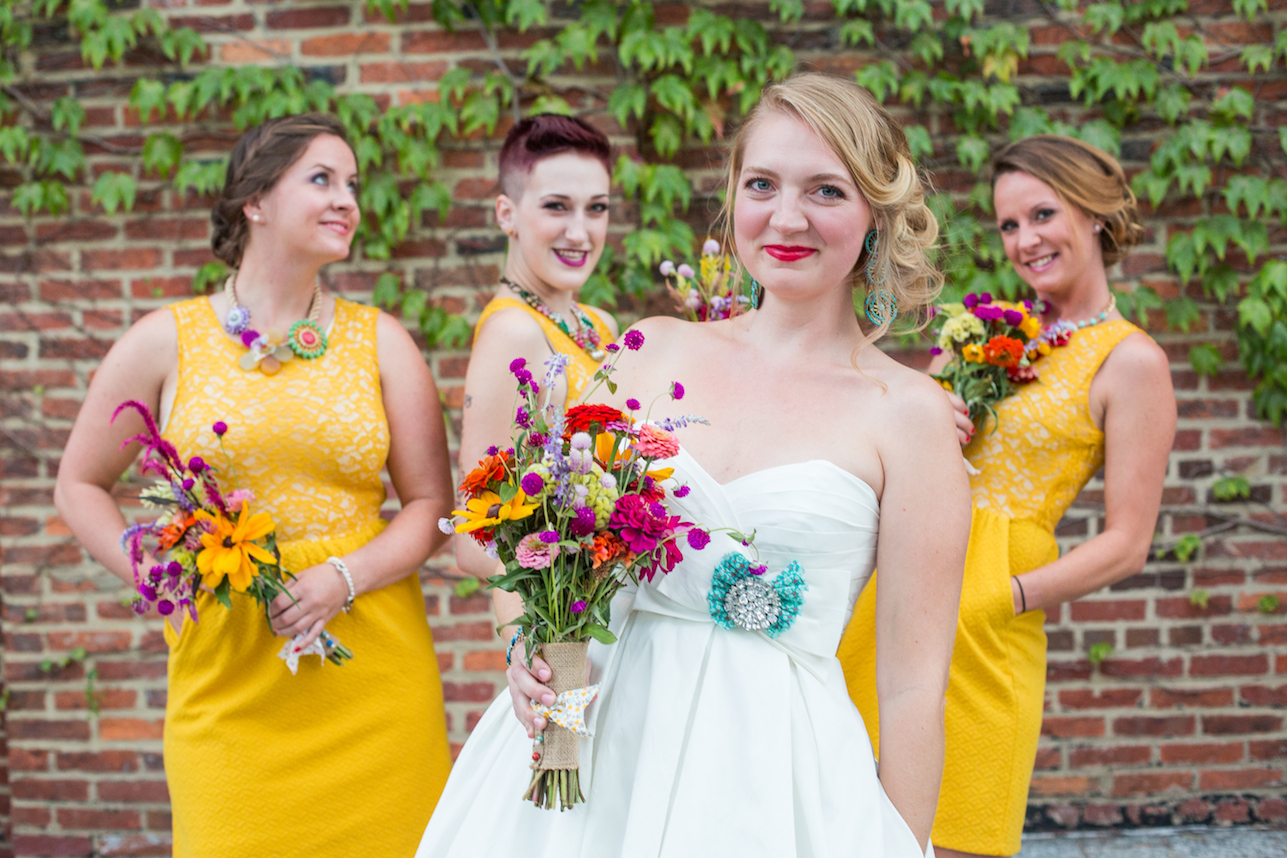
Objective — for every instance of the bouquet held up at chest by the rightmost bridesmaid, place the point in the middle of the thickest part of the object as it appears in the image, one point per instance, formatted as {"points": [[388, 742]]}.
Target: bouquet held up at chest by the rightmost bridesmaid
{"points": [[994, 348]]}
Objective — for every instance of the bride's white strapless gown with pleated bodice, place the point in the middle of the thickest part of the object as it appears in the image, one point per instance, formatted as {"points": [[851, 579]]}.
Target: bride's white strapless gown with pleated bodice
{"points": [[707, 742]]}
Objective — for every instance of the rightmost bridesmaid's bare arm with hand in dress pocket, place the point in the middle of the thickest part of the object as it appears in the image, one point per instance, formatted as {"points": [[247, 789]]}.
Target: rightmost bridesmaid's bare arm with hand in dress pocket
{"points": [[1140, 429]]}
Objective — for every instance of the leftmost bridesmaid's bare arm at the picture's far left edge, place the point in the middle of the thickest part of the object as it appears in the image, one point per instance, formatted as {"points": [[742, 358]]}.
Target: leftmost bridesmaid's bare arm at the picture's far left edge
{"points": [[93, 461]]}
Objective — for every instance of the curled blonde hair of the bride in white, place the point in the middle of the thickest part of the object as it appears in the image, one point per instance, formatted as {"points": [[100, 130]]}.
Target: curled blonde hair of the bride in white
{"points": [[875, 150]]}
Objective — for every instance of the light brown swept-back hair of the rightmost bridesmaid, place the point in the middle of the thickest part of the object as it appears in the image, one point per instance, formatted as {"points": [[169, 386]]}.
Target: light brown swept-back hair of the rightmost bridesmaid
{"points": [[1084, 177]]}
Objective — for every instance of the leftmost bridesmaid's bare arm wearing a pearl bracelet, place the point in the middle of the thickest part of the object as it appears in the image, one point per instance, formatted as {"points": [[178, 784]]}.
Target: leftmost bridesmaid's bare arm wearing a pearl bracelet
{"points": [[421, 475]]}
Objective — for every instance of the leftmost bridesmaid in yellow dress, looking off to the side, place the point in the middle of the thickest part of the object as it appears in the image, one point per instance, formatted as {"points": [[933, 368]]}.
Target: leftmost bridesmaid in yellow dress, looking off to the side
{"points": [[346, 762]]}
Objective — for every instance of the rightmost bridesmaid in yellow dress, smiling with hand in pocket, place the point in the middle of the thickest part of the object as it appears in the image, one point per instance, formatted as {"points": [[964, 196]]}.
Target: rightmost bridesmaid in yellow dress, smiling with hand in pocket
{"points": [[1105, 401]]}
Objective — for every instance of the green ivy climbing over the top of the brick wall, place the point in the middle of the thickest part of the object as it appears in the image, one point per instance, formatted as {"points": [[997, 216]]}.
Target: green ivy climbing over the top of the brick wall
{"points": [[1133, 65]]}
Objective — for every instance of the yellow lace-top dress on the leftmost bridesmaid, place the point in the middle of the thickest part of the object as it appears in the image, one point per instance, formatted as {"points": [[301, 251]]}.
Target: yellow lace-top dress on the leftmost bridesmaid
{"points": [[344, 762]]}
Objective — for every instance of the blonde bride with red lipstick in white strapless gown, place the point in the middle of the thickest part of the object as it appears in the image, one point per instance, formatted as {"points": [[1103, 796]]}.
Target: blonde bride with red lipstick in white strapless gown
{"points": [[711, 739]]}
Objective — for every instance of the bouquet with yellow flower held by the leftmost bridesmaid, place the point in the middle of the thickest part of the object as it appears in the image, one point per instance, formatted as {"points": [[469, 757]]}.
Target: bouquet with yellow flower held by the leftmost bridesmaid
{"points": [[207, 537]]}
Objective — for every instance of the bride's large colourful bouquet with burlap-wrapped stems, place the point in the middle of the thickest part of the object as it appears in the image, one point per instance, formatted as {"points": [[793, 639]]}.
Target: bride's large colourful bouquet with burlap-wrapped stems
{"points": [[575, 511]]}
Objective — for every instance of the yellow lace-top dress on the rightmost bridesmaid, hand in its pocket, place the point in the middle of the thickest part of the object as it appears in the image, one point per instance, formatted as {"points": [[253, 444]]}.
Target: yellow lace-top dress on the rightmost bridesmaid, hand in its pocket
{"points": [[1032, 470]]}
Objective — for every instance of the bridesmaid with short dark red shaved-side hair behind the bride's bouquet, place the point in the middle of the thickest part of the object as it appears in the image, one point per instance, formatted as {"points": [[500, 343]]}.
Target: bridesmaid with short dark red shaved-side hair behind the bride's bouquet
{"points": [[555, 182]]}
